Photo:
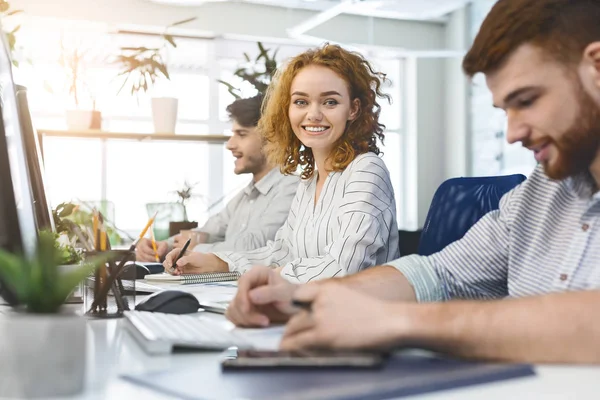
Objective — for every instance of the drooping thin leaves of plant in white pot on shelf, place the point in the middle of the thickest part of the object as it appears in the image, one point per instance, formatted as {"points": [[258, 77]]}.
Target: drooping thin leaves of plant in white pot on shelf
{"points": [[142, 66]]}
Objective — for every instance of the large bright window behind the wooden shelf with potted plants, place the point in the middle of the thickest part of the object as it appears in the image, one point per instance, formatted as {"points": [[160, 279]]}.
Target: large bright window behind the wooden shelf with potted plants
{"points": [[127, 173]]}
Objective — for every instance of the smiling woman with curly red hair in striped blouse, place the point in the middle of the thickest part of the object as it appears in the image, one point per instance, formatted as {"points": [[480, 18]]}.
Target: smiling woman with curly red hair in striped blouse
{"points": [[321, 116]]}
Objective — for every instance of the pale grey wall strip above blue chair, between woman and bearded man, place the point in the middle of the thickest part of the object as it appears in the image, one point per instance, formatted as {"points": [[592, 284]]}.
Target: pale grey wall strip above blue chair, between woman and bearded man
{"points": [[437, 145]]}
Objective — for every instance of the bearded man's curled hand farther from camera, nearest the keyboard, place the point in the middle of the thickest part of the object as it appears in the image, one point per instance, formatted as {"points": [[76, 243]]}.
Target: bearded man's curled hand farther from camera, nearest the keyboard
{"points": [[263, 297]]}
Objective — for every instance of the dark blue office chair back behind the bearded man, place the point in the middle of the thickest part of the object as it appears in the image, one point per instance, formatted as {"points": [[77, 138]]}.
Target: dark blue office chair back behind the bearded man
{"points": [[458, 204]]}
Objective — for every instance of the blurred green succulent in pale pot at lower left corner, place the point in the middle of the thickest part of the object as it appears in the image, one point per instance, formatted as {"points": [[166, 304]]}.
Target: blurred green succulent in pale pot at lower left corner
{"points": [[42, 345]]}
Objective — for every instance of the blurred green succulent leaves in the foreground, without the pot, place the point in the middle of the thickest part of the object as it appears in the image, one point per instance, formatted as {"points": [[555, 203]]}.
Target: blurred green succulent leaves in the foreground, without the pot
{"points": [[39, 284]]}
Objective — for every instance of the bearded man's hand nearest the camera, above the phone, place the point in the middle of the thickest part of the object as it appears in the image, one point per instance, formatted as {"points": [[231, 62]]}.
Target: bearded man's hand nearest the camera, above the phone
{"points": [[341, 318]]}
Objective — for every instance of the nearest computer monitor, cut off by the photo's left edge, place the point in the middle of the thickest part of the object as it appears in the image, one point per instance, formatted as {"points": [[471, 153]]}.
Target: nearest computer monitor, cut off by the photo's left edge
{"points": [[18, 231]]}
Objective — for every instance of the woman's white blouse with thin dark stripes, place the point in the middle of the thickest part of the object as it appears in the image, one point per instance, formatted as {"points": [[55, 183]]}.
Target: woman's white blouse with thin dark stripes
{"points": [[351, 227]]}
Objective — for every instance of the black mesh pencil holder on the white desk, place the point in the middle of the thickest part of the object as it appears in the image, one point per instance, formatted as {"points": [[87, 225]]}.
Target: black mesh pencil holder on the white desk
{"points": [[111, 289]]}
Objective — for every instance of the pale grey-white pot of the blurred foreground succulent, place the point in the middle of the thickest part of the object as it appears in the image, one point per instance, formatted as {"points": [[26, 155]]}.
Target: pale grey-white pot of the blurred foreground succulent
{"points": [[42, 355]]}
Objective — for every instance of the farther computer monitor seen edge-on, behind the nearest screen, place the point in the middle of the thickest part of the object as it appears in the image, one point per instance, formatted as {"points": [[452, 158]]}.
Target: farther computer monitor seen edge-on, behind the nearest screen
{"points": [[35, 164]]}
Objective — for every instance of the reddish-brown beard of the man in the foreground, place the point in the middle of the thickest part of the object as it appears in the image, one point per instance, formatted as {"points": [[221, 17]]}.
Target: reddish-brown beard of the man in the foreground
{"points": [[578, 146]]}
